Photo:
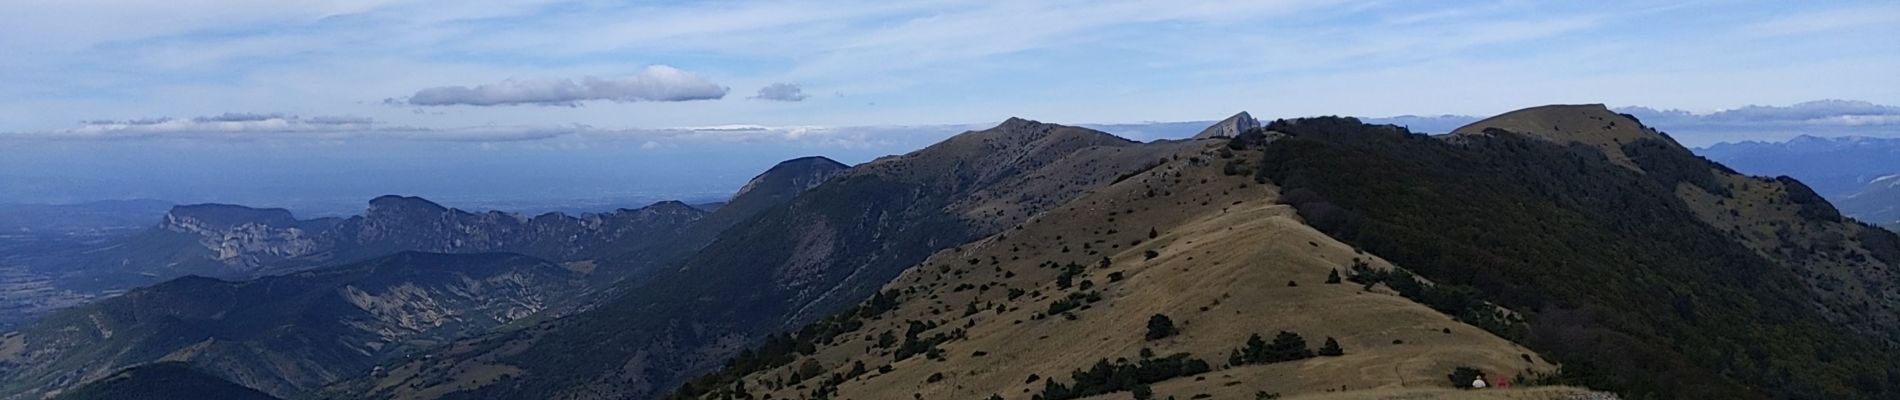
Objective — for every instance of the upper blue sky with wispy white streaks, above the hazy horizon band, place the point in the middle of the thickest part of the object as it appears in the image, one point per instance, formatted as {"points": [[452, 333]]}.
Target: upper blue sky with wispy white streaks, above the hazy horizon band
{"points": [[903, 64]]}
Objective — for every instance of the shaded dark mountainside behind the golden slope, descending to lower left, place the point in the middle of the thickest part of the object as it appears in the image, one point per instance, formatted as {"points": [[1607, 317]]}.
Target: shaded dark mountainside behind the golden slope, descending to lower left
{"points": [[788, 266]]}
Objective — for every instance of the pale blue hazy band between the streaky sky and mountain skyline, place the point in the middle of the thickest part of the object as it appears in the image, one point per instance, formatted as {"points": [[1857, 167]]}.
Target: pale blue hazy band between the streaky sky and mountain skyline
{"points": [[603, 172]]}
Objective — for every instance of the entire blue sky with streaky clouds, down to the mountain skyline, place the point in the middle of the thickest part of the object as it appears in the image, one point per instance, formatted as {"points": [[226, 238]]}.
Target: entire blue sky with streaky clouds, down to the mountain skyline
{"points": [[480, 100]]}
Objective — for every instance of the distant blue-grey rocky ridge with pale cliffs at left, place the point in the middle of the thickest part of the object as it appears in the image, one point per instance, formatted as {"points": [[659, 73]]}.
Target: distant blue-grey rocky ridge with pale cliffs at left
{"points": [[254, 242]]}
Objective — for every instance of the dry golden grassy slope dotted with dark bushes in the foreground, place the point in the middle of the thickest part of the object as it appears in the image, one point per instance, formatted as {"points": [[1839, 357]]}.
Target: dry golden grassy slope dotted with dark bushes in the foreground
{"points": [[1226, 257]]}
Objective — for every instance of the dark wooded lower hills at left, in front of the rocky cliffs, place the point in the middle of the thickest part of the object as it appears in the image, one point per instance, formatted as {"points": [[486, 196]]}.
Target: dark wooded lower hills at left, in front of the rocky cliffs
{"points": [[292, 333]]}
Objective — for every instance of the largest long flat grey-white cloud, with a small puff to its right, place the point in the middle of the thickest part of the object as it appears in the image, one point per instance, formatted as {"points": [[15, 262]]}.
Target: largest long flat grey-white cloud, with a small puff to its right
{"points": [[660, 82]]}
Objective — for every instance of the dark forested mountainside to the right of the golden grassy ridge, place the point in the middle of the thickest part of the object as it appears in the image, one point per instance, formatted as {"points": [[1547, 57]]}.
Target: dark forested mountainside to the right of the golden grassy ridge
{"points": [[1502, 209]]}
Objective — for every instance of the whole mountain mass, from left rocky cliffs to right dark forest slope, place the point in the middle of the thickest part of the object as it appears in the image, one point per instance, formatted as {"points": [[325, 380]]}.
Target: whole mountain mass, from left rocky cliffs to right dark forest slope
{"points": [[1570, 249]]}
